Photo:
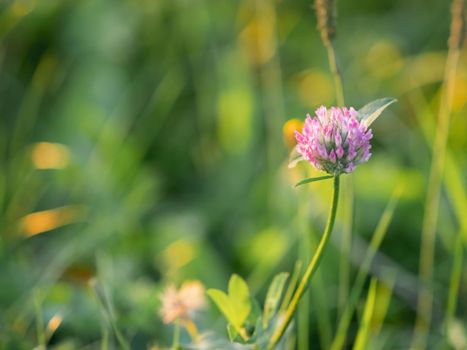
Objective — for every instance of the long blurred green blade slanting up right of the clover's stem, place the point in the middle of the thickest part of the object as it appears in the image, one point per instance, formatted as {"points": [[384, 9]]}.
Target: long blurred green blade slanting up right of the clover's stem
{"points": [[378, 236]]}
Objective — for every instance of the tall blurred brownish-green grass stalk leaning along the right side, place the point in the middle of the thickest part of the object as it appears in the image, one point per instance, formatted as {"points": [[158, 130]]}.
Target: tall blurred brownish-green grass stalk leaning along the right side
{"points": [[430, 219]]}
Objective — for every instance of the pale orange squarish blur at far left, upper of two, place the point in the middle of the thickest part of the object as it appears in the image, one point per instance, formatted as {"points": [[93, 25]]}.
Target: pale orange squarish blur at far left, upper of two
{"points": [[46, 155]]}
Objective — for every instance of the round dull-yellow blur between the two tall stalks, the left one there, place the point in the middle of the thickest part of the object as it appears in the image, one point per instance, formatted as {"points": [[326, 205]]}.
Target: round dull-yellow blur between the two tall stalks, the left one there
{"points": [[384, 59]]}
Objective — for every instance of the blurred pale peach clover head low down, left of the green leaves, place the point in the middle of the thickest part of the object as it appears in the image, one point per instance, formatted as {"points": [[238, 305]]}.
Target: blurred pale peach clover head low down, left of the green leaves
{"points": [[182, 303]]}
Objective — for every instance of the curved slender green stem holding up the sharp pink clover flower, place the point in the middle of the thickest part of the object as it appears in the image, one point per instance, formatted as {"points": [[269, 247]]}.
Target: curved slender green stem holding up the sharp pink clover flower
{"points": [[311, 269]]}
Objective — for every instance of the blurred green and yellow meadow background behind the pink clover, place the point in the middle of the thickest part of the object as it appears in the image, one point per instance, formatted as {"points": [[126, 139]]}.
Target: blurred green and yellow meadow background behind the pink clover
{"points": [[142, 143]]}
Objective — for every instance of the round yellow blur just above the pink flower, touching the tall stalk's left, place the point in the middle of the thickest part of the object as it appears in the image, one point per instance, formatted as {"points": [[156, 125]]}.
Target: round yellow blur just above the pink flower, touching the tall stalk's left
{"points": [[315, 88]]}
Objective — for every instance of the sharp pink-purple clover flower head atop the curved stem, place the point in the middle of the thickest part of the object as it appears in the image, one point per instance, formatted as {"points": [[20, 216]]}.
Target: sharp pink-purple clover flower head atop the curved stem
{"points": [[334, 140]]}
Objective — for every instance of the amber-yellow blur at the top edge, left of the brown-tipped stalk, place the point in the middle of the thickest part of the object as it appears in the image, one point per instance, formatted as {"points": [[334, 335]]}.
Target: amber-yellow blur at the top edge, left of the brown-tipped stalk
{"points": [[257, 39]]}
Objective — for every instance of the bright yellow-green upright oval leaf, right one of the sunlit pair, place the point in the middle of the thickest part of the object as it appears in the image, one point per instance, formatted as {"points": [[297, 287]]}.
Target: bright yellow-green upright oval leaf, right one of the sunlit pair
{"points": [[239, 295]]}
